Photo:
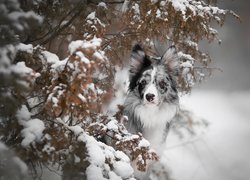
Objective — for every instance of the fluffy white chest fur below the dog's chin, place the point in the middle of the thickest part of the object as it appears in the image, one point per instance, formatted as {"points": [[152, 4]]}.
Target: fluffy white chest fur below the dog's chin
{"points": [[154, 119]]}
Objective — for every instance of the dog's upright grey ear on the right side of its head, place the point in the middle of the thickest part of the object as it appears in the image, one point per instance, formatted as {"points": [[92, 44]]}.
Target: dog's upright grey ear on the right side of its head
{"points": [[171, 60]]}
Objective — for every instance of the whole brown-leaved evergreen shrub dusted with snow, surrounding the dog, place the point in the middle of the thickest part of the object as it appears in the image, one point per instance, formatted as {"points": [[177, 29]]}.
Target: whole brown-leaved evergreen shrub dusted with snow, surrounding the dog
{"points": [[58, 67]]}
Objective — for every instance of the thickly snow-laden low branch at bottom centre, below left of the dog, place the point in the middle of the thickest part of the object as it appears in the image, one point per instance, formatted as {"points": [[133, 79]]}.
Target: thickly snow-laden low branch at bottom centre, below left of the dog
{"points": [[101, 157]]}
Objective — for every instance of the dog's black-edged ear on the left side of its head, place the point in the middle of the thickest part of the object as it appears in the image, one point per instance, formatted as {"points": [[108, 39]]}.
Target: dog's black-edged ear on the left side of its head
{"points": [[138, 60]]}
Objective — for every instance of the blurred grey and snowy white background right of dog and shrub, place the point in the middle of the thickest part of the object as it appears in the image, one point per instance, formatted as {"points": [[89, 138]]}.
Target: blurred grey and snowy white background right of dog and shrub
{"points": [[220, 151]]}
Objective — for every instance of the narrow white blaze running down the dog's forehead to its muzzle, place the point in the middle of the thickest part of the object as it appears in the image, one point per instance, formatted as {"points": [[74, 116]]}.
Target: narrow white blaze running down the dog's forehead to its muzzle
{"points": [[152, 88]]}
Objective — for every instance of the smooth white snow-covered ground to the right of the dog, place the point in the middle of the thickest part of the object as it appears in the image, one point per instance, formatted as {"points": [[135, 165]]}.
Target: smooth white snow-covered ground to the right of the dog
{"points": [[221, 152]]}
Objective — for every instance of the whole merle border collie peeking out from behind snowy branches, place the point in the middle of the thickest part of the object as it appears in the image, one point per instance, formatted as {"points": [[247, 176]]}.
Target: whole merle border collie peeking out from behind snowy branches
{"points": [[152, 100]]}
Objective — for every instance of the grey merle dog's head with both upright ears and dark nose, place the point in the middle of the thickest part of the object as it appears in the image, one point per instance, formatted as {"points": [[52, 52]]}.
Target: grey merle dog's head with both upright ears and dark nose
{"points": [[152, 79]]}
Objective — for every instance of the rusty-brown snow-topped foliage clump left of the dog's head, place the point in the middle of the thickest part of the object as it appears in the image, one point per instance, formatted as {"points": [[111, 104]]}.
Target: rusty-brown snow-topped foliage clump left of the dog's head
{"points": [[81, 67]]}
